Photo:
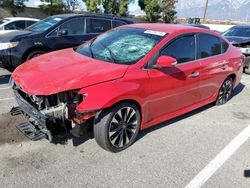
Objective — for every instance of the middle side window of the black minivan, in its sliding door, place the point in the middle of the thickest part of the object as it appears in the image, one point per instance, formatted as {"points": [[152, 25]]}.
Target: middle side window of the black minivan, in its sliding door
{"points": [[98, 25]]}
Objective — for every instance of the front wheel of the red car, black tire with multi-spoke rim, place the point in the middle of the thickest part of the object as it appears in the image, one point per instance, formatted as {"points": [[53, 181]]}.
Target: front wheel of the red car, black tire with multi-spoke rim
{"points": [[115, 137]]}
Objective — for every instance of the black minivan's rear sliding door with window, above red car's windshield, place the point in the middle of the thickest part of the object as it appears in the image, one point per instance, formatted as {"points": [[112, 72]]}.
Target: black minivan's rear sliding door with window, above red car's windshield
{"points": [[96, 26]]}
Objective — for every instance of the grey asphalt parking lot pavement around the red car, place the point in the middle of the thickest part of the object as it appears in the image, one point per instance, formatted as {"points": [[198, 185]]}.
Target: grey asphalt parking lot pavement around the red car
{"points": [[171, 154]]}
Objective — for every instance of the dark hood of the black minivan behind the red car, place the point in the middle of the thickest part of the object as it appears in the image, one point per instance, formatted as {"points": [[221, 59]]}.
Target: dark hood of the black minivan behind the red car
{"points": [[14, 35]]}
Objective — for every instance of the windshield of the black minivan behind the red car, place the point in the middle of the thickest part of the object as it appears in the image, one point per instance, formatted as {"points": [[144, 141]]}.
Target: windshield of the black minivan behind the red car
{"points": [[45, 24]]}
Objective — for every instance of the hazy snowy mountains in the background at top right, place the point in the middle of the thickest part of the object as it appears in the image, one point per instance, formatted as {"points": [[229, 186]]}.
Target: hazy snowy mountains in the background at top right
{"points": [[238, 10]]}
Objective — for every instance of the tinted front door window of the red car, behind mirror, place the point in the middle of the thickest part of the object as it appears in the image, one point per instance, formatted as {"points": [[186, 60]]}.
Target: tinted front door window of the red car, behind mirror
{"points": [[182, 49]]}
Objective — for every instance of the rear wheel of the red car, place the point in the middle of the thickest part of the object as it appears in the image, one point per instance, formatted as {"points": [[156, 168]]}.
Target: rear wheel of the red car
{"points": [[225, 92]]}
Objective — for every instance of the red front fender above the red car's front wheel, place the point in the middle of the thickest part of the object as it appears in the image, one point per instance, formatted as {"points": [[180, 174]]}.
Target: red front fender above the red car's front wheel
{"points": [[106, 94]]}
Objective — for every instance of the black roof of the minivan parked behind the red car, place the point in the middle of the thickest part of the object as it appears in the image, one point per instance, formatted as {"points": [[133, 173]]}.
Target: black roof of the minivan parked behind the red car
{"points": [[64, 16]]}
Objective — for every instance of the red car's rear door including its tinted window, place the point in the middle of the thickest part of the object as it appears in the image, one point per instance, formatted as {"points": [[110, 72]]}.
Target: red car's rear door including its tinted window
{"points": [[213, 62]]}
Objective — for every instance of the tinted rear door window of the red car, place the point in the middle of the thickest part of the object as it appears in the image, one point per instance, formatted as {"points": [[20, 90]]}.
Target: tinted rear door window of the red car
{"points": [[209, 45]]}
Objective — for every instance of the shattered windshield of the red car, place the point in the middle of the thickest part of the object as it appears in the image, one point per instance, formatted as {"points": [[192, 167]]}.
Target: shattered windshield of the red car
{"points": [[121, 46]]}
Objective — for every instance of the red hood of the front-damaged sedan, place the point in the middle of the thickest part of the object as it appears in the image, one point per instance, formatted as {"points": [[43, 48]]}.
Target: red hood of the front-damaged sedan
{"points": [[64, 70]]}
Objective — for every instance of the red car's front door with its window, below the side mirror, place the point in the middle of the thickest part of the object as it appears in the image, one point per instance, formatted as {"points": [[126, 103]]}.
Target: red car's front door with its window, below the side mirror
{"points": [[177, 87]]}
